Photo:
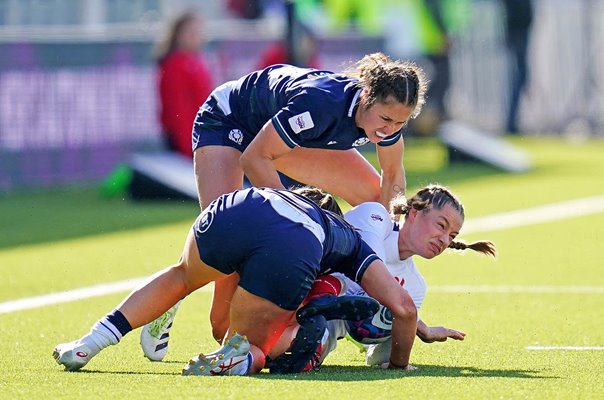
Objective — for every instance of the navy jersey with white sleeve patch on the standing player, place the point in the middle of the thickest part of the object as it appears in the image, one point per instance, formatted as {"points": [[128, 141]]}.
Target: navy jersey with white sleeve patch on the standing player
{"points": [[308, 107]]}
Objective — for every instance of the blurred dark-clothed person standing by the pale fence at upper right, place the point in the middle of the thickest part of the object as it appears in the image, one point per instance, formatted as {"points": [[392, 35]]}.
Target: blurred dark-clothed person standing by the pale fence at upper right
{"points": [[519, 18]]}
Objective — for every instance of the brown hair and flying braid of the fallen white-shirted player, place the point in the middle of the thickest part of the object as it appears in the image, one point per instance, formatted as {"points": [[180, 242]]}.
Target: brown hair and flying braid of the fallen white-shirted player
{"points": [[437, 196]]}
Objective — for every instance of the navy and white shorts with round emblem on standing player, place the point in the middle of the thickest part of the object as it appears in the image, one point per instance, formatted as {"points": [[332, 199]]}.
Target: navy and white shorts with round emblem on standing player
{"points": [[214, 126]]}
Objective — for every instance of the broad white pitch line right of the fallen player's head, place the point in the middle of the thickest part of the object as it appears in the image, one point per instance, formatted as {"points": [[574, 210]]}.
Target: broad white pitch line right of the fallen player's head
{"points": [[536, 215]]}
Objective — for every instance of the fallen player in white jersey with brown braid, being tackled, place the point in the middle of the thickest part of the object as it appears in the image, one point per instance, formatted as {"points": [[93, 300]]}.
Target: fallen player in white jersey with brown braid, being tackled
{"points": [[431, 221]]}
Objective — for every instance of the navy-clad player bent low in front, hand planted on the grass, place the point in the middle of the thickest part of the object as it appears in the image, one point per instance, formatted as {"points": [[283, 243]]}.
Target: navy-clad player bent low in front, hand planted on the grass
{"points": [[278, 242]]}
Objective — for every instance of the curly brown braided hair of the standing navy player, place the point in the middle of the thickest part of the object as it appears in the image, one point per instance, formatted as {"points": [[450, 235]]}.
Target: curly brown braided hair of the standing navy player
{"points": [[382, 78]]}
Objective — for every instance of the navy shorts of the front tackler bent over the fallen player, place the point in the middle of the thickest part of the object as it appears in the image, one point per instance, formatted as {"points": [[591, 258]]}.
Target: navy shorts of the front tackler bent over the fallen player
{"points": [[276, 257]]}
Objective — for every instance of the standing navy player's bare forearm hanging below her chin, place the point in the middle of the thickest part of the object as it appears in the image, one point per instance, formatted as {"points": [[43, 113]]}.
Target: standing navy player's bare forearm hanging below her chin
{"points": [[392, 171]]}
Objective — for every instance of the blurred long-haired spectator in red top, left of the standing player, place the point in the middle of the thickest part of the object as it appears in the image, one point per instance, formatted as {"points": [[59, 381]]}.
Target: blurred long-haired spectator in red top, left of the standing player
{"points": [[183, 80]]}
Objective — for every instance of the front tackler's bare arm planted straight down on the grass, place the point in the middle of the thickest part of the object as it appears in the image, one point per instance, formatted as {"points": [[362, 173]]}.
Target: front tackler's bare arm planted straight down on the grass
{"points": [[378, 283]]}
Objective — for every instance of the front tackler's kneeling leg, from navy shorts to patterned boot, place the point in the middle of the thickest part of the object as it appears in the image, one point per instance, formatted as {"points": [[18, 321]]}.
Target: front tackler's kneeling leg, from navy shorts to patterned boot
{"points": [[275, 277]]}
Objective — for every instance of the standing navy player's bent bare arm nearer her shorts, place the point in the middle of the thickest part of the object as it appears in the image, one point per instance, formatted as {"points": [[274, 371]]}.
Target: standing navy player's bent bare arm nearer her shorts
{"points": [[257, 160]]}
